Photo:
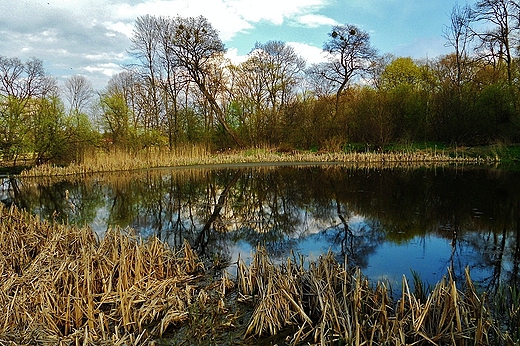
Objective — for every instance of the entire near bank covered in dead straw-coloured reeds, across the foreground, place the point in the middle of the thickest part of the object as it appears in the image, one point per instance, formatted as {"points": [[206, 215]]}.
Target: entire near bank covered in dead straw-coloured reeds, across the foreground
{"points": [[63, 285]]}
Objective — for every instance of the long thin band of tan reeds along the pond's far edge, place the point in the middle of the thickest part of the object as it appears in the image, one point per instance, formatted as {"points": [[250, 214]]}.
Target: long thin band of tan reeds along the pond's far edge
{"points": [[195, 155]]}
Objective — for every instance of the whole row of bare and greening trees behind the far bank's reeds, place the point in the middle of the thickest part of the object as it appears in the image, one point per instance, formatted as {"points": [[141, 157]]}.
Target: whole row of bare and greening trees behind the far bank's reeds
{"points": [[182, 89]]}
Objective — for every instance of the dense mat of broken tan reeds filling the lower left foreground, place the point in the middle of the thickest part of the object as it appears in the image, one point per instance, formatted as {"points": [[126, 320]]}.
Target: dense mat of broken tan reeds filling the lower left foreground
{"points": [[61, 284]]}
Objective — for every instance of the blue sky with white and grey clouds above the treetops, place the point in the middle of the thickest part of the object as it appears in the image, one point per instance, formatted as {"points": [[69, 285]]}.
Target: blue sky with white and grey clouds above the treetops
{"points": [[92, 37]]}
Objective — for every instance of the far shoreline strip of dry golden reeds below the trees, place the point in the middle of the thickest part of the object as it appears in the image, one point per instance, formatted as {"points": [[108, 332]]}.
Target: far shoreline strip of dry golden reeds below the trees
{"points": [[113, 162]]}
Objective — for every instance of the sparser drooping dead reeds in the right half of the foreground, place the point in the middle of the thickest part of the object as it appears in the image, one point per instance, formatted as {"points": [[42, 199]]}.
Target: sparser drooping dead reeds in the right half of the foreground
{"points": [[329, 304]]}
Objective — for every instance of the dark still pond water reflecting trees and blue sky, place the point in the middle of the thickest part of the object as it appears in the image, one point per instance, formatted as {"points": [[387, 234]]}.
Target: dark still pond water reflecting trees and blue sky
{"points": [[388, 222]]}
